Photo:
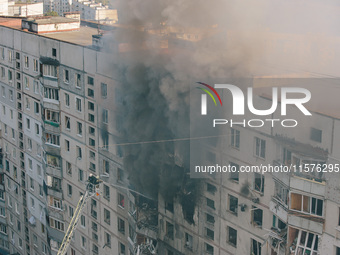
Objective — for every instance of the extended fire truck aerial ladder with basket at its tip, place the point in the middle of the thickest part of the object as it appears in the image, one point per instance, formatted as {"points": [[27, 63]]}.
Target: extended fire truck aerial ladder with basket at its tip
{"points": [[92, 185]]}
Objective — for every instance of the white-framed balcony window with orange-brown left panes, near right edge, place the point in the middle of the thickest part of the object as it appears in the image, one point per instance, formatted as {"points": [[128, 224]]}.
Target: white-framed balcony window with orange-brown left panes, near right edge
{"points": [[307, 204]]}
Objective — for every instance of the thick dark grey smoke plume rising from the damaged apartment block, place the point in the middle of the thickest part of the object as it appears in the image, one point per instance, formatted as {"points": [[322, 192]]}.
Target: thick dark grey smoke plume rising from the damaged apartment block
{"points": [[164, 47]]}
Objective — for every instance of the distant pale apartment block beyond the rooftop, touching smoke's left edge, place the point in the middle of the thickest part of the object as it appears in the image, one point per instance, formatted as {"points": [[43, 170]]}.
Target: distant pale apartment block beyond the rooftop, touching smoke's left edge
{"points": [[92, 11]]}
